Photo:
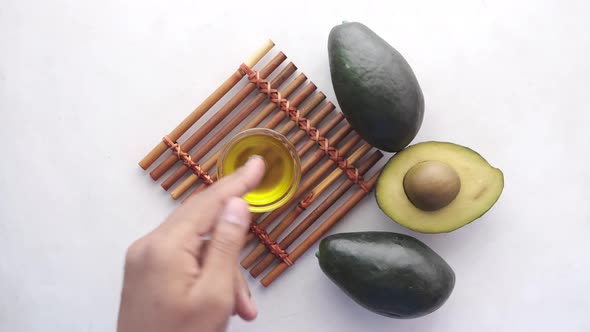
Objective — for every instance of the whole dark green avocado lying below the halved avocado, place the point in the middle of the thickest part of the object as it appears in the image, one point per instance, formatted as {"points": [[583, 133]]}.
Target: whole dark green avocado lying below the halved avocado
{"points": [[390, 274]]}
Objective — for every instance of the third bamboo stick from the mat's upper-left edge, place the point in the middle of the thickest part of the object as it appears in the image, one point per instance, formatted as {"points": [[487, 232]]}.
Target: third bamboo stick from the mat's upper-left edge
{"points": [[229, 126]]}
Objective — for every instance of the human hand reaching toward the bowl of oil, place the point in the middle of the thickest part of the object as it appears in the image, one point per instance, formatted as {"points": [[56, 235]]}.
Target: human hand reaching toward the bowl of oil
{"points": [[177, 281]]}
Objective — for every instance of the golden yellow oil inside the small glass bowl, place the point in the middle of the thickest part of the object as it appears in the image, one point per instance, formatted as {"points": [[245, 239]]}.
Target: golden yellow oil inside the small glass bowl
{"points": [[279, 175]]}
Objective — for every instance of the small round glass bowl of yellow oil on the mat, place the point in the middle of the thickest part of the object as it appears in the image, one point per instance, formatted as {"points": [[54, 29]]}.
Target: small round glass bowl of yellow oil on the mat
{"points": [[283, 166]]}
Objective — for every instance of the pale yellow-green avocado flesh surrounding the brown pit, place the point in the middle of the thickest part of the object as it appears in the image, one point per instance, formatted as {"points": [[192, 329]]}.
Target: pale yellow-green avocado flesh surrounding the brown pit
{"points": [[481, 186]]}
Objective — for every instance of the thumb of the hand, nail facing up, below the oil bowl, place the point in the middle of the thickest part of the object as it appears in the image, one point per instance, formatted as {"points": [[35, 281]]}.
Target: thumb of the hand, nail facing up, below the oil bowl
{"points": [[228, 238]]}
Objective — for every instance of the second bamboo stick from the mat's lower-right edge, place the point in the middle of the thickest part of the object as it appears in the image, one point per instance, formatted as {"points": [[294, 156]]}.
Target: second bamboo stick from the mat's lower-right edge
{"points": [[312, 217]]}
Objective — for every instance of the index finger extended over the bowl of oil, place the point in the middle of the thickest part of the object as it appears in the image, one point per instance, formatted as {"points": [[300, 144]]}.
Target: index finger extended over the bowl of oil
{"points": [[198, 214]]}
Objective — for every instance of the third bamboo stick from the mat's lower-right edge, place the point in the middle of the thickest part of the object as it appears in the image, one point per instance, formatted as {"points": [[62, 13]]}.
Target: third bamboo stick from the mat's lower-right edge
{"points": [[303, 204]]}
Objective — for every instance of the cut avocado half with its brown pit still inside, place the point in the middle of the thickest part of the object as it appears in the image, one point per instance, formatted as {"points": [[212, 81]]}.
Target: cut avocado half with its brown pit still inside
{"points": [[437, 187]]}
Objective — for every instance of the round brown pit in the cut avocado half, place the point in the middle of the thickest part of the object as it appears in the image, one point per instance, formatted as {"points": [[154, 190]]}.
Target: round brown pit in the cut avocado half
{"points": [[431, 185]]}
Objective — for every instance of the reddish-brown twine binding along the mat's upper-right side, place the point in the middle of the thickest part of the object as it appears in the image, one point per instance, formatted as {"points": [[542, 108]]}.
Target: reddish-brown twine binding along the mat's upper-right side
{"points": [[314, 133]]}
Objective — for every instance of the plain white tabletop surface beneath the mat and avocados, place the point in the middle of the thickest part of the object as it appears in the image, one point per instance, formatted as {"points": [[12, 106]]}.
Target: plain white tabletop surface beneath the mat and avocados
{"points": [[86, 89]]}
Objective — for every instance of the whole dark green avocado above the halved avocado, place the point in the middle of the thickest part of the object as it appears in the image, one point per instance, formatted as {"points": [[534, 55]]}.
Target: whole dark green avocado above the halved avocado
{"points": [[375, 87]]}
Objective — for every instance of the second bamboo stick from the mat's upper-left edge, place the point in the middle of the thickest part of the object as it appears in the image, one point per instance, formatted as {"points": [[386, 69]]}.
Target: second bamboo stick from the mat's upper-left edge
{"points": [[221, 114]]}
